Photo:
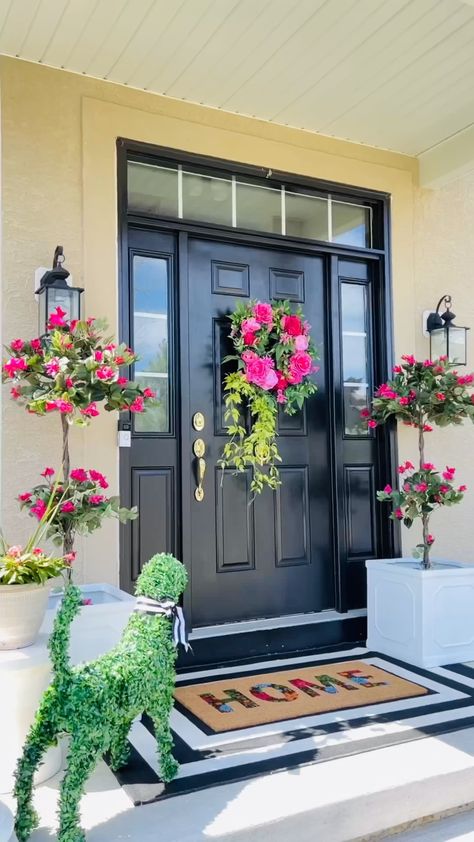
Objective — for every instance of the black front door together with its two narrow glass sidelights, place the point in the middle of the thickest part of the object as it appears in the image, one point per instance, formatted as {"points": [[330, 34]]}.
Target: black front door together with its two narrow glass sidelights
{"points": [[304, 547]]}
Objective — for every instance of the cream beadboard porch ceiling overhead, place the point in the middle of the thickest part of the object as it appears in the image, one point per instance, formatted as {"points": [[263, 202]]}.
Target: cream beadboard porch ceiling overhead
{"points": [[393, 74]]}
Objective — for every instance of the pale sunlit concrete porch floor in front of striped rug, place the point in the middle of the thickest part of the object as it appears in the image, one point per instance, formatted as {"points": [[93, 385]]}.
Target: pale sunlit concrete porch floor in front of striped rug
{"points": [[368, 794]]}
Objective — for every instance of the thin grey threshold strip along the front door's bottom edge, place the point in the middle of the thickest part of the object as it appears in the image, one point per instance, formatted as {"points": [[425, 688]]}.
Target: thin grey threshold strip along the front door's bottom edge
{"points": [[288, 621]]}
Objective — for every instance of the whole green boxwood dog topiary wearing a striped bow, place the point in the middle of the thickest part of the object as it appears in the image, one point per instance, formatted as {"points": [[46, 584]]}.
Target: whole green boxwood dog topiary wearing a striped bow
{"points": [[96, 703]]}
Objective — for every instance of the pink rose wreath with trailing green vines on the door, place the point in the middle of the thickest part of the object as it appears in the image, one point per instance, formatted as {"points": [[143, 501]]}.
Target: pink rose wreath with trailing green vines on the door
{"points": [[275, 358]]}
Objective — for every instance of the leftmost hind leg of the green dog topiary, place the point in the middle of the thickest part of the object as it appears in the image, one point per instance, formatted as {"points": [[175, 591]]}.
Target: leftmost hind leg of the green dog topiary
{"points": [[41, 736]]}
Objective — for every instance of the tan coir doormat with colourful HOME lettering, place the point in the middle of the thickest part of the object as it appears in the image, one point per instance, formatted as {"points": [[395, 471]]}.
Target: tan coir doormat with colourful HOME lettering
{"points": [[288, 694]]}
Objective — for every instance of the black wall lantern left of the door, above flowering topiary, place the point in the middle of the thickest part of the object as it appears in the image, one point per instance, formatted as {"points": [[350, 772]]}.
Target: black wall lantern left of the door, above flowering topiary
{"points": [[54, 291]]}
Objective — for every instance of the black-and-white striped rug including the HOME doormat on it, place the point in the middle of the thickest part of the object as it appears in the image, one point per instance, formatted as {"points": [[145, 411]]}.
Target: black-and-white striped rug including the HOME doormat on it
{"points": [[233, 723]]}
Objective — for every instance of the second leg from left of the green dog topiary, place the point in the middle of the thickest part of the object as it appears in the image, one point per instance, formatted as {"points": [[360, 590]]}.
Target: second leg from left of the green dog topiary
{"points": [[81, 760]]}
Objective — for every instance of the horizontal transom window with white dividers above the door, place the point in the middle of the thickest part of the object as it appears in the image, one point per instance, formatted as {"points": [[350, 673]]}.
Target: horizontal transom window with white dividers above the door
{"points": [[173, 191]]}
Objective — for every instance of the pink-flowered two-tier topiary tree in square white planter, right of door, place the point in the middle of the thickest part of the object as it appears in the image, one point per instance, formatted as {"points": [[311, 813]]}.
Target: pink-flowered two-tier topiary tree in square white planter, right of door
{"points": [[420, 394]]}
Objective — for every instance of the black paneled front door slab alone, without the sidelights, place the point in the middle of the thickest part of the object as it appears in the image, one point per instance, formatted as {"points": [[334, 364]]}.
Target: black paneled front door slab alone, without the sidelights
{"points": [[273, 555]]}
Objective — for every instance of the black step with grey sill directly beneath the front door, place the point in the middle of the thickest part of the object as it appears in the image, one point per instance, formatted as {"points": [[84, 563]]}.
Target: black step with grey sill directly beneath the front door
{"points": [[250, 641]]}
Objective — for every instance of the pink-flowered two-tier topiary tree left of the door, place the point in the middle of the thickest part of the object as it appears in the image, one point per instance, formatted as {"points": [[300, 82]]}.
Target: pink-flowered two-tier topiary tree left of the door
{"points": [[70, 371]]}
